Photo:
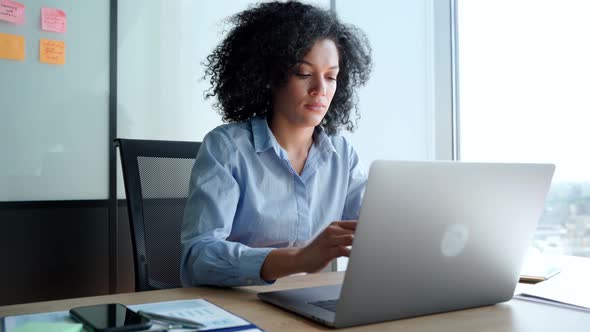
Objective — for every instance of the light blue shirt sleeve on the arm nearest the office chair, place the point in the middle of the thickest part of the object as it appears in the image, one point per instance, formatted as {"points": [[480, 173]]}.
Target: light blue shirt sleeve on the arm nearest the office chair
{"points": [[207, 257]]}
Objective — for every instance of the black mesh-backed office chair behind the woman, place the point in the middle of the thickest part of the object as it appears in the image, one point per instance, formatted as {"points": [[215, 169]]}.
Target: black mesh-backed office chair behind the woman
{"points": [[156, 176]]}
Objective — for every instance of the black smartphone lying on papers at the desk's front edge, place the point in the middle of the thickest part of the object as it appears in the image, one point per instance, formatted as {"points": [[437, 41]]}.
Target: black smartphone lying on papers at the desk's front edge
{"points": [[109, 317]]}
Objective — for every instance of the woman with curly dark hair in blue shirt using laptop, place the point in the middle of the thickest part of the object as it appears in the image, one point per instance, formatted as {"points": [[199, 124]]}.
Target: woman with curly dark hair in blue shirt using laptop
{"points": [[277, 191]]}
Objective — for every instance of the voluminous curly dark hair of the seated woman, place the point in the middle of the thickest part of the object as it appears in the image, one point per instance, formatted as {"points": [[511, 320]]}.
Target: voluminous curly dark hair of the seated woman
{"points": [[266, 42]]}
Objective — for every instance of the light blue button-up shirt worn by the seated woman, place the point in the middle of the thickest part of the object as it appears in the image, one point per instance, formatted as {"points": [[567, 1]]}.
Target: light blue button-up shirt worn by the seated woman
{"points": [[245, 199]]}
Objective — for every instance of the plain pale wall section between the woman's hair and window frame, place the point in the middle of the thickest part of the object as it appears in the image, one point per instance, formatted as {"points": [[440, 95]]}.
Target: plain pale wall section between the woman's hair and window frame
{"points": [[396, 118]]}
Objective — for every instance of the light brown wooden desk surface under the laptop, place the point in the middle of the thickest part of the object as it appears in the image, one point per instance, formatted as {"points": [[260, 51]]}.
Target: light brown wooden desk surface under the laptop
{"points": [[514, 315]]}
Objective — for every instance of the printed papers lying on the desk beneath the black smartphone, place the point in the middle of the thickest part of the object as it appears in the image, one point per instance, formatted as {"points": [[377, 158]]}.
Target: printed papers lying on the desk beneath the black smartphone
{"points": [[202, 311]]}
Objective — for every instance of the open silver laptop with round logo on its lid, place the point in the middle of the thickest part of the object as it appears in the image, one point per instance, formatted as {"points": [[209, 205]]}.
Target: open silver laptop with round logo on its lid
{"points": [[432, 237]]}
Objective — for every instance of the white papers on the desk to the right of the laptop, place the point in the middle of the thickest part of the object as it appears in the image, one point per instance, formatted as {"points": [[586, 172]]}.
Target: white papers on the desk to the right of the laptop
{"points": [[569, 290]]}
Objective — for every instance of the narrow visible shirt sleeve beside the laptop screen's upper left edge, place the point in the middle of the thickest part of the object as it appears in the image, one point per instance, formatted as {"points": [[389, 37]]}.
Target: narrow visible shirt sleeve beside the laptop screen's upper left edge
{"points": [[357, 180]]}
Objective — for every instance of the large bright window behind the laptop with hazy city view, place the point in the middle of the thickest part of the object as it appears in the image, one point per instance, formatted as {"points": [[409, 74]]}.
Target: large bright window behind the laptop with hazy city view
{"points": [[524, 96]]}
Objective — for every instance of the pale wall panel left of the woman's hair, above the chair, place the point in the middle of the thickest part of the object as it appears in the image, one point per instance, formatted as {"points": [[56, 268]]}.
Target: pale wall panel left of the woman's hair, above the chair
{"points": [[161, 47]]}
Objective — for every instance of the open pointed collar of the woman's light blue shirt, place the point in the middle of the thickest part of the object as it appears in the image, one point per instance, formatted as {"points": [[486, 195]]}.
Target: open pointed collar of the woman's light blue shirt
{"points": [[264, 138]]}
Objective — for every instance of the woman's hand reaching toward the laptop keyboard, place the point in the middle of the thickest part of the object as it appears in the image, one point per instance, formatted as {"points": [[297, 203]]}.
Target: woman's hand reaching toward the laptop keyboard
{"points": [[333, 242]]}
